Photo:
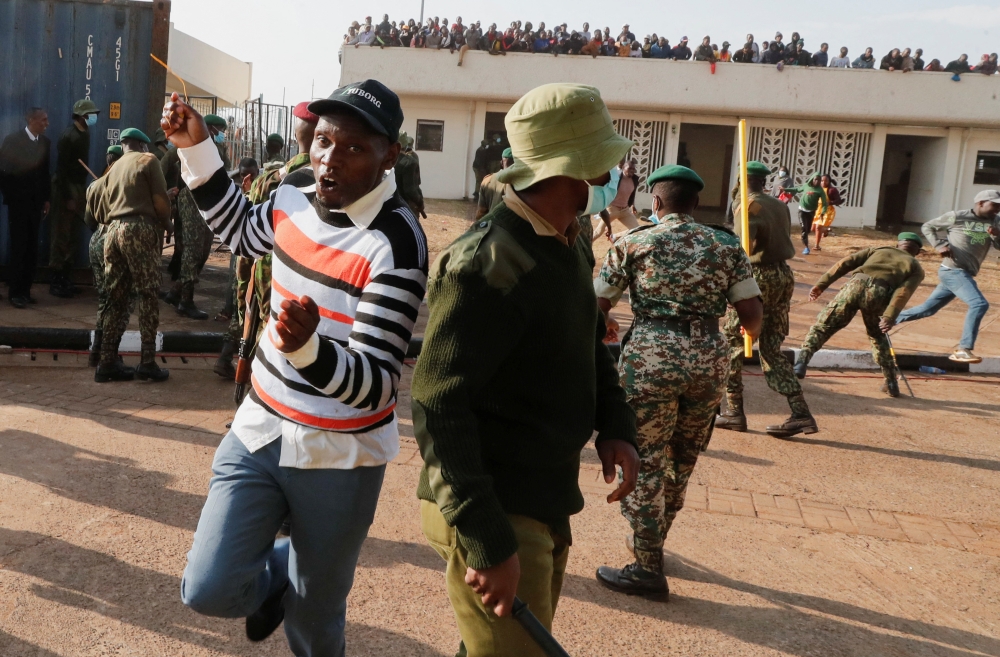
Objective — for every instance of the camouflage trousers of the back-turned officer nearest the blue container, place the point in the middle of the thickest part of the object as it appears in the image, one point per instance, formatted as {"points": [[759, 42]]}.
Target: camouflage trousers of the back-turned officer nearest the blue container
{"points": [[132, 257]]}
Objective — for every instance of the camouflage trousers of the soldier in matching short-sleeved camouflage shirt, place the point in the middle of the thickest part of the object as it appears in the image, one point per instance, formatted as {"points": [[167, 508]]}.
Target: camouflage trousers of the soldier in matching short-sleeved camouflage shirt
{"points": [[674, 383]]}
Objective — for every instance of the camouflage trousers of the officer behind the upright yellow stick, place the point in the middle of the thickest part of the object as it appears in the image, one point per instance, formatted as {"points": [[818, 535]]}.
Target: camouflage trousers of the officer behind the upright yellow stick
{"points": [[776, 283]]}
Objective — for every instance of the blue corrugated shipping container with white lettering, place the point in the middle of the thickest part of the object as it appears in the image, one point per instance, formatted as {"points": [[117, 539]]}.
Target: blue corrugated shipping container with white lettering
{"points": [[55, 52]]}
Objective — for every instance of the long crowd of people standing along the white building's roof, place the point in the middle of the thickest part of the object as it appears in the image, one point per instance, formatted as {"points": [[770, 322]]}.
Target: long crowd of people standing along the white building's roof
{"points": [[437, 33]]}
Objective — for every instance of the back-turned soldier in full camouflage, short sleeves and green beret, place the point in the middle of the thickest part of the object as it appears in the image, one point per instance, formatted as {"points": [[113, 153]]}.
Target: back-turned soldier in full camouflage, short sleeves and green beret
{"points": [[680, 276]]}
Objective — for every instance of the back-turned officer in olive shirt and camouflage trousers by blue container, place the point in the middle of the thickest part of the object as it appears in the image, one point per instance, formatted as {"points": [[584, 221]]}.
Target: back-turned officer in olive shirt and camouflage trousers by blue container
{"points": [[138, 210]]}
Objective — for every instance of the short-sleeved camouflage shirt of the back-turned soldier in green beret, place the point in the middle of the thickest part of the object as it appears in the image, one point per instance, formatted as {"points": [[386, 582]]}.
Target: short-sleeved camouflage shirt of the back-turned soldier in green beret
{"points": [[678, 269]]}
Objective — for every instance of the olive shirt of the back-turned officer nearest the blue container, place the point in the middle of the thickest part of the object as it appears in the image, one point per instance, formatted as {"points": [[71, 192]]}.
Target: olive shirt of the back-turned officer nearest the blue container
{"points": [[135, 187]]}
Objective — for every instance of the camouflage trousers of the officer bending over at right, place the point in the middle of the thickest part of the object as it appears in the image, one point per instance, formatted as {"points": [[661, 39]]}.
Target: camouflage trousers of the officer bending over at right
{"points": [[859, 294]]}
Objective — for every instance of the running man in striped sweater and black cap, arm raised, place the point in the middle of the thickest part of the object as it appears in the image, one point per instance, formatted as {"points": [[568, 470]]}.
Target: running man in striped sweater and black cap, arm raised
{"points": [[312, 439]]}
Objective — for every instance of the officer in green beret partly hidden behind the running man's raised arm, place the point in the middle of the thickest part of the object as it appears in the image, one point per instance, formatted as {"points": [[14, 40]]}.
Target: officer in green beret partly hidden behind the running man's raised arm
{"points": [[194, 236]]}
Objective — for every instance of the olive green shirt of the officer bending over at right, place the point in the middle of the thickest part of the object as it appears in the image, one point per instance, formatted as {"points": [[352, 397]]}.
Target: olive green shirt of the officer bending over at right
{"points": [[893, 266]]}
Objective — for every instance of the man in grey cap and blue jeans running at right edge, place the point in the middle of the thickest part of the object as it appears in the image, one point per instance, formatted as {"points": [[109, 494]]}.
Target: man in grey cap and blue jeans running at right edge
{"points": [[963, 239]]}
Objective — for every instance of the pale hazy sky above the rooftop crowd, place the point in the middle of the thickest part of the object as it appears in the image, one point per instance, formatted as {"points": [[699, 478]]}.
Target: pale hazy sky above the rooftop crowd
{"points": [[293, 44]]}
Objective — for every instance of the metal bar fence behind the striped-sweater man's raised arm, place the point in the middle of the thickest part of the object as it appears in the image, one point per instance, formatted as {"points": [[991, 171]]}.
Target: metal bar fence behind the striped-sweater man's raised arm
{"points": [[249, 126]]}
